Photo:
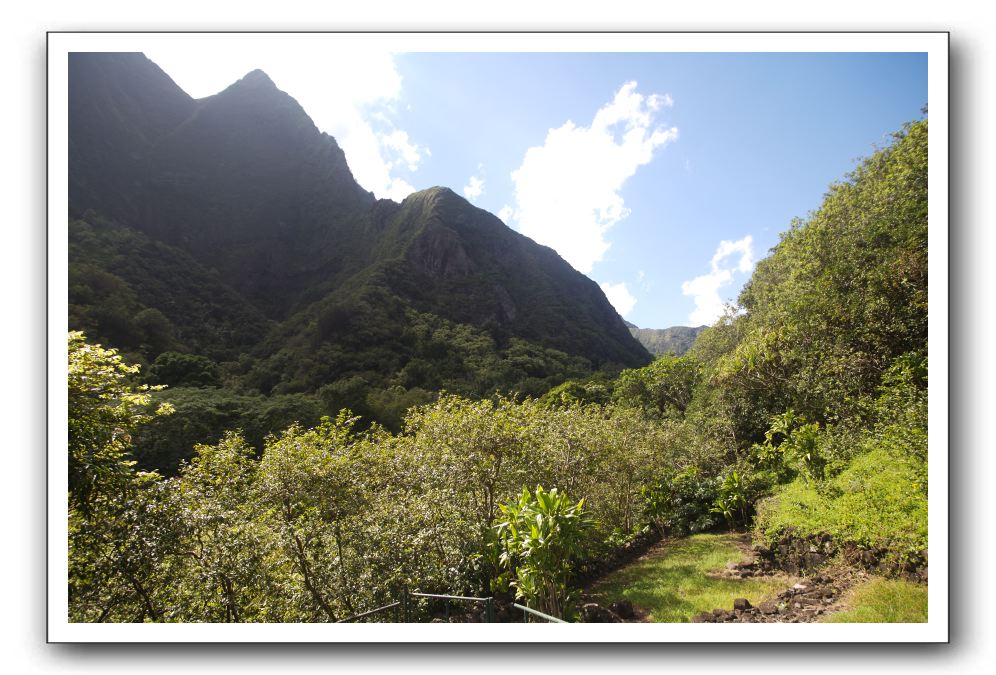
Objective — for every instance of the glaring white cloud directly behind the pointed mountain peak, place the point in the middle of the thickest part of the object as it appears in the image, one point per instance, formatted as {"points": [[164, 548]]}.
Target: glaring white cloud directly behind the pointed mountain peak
{"points": [[349, 92]]}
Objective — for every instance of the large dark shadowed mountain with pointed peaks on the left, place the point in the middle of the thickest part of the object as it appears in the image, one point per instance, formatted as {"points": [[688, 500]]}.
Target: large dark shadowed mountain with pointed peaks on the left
{"points": [[231, 227]]}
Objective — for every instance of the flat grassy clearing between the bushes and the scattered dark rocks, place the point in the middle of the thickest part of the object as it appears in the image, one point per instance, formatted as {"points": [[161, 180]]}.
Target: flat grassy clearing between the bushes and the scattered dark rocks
{"points": [[671, 585]]}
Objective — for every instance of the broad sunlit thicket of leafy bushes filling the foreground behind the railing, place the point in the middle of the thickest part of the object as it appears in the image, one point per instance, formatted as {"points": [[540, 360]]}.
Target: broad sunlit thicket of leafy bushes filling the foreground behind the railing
{"points": [[334, 520]]}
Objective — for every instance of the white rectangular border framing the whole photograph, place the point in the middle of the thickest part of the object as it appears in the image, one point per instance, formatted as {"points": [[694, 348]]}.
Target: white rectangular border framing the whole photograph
{"points": [[936, 629]]}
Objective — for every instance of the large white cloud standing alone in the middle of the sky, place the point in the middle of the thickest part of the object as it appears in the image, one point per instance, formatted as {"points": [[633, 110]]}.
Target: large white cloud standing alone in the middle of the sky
{"points": [[567, 190]]}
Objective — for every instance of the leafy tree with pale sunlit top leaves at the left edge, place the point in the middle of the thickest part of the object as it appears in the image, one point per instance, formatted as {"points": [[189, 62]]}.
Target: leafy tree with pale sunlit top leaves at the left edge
{"points": [[112, 550]]}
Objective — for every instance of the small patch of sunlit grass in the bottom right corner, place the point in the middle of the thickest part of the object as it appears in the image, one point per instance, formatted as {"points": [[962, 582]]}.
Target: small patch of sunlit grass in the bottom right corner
{"points": [[881, 600]]}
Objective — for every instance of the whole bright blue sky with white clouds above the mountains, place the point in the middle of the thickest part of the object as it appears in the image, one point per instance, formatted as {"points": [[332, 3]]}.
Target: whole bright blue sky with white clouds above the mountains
{"points": [[663, 177]]}
